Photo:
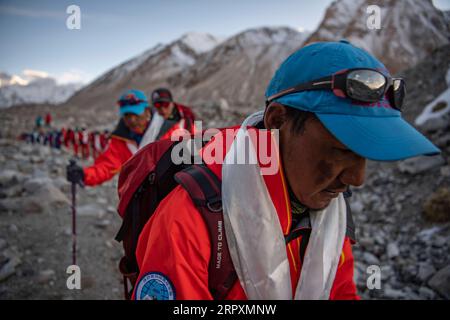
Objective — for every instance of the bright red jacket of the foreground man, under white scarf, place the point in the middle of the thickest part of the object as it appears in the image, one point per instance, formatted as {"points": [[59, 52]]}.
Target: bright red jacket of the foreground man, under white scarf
{"points": [[174, 247]]}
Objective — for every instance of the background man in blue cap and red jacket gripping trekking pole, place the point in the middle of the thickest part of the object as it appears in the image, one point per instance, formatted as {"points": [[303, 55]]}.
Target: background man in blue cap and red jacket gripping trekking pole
{"points": [[136, 128]]}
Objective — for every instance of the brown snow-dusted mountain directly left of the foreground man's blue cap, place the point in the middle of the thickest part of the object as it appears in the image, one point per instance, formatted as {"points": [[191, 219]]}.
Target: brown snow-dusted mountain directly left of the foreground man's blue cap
{"points": [[239, 69]]}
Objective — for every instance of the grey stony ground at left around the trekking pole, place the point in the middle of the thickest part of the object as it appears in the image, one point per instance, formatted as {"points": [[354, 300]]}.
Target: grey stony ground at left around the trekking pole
{"points": [[35, 229]]}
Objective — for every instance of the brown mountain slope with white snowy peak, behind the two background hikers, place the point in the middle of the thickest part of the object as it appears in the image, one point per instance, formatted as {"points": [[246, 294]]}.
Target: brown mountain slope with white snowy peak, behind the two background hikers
{"points": [[145, 72]]}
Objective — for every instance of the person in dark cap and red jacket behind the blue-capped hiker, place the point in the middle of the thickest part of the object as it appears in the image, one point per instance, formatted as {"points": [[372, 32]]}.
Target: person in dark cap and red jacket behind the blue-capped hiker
{"points": [[177, 116]]}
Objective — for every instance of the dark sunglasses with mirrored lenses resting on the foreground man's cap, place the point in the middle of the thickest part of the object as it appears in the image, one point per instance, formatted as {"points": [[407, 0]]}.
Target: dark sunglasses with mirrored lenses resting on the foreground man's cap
{"points": [[359, 84]]}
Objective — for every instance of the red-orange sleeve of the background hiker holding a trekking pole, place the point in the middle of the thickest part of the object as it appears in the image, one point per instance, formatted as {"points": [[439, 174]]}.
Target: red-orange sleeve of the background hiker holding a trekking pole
{"points": [[108, 163]]}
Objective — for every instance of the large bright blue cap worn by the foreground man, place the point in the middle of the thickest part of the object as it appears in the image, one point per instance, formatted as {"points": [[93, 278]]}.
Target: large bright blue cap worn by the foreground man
{"points": [[375, 131]]}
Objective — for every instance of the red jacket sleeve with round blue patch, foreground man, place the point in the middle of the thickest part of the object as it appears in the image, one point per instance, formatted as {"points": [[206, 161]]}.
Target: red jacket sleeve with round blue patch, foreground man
{"points": [[174, 247]]}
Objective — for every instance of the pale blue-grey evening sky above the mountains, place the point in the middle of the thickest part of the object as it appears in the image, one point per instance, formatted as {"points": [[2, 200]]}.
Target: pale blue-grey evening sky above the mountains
{"points": [[34, 36]]}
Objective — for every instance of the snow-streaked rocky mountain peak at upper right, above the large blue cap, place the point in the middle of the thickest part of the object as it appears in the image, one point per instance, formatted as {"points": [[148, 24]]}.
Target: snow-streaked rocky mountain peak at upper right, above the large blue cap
{"points": [[410, 30]]}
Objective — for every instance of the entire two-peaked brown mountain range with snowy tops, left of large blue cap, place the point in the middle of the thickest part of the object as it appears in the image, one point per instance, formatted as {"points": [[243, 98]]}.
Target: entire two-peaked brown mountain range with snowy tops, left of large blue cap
{"points": [[198, 67]]}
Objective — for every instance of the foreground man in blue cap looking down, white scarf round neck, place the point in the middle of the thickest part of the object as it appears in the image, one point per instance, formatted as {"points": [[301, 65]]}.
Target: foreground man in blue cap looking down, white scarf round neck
{"points": [[289, 234]]}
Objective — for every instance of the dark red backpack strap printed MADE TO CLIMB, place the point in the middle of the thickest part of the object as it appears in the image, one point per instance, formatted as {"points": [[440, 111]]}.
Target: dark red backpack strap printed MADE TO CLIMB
{"points": [[204, 189]]}
